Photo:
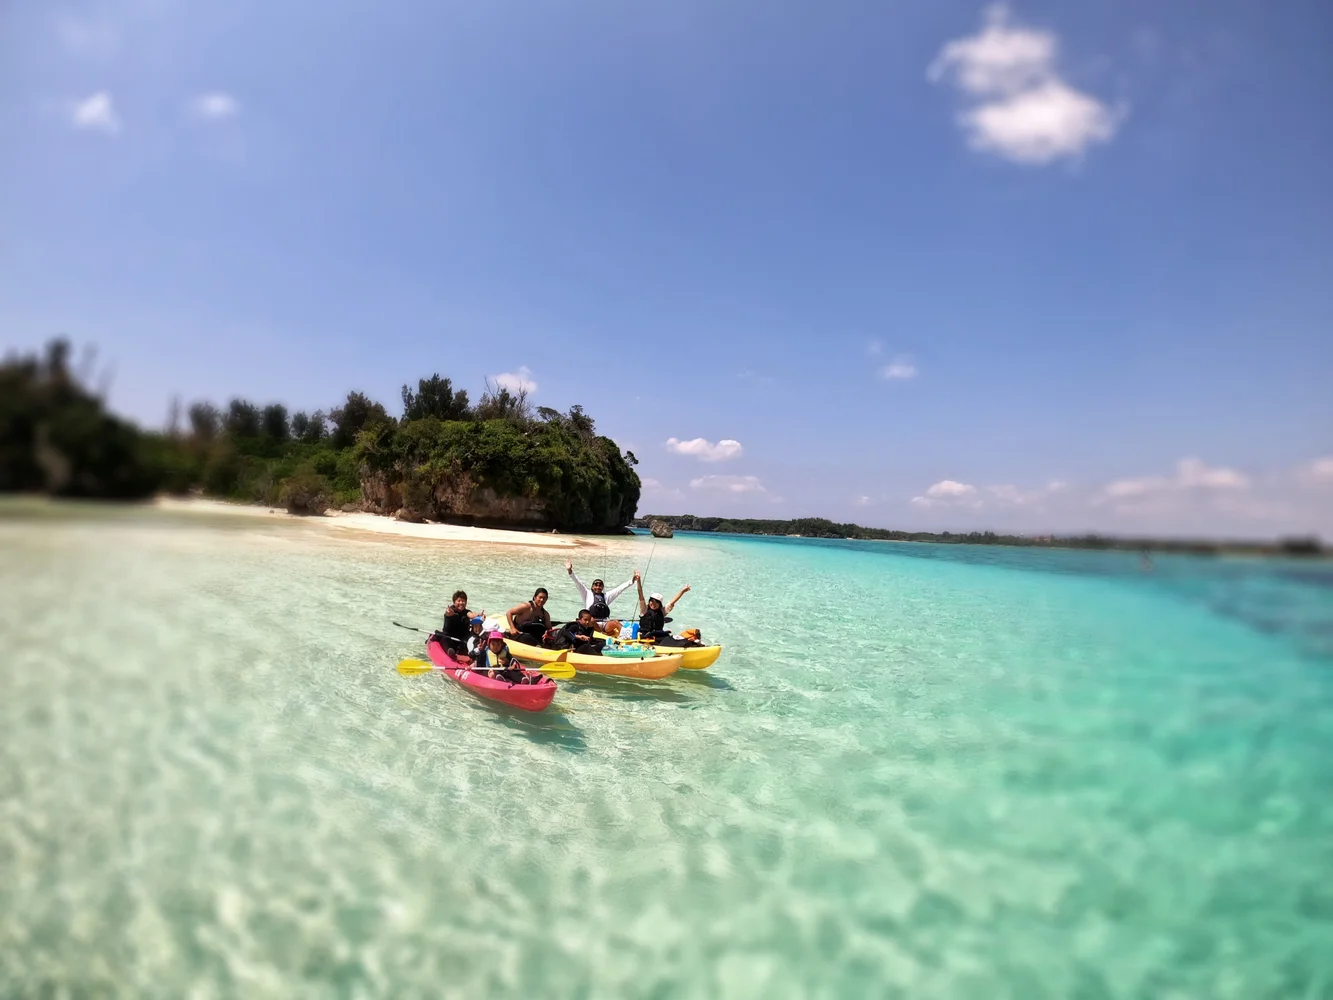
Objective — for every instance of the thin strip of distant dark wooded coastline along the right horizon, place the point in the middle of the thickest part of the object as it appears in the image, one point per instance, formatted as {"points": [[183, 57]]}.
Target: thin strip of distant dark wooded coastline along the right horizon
{"points": [[823, 529]]}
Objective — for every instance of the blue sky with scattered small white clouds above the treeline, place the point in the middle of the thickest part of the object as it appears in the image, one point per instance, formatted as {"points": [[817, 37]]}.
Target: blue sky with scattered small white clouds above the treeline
{"points": [[924, 266]]}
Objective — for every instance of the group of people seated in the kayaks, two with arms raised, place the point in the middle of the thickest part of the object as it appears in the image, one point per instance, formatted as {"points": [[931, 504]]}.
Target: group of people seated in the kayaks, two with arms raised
{"points": [[471, 639]]}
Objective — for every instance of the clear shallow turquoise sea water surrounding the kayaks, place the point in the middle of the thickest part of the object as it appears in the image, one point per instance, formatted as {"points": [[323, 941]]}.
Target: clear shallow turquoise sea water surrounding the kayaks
{"points": [[916, 771]]}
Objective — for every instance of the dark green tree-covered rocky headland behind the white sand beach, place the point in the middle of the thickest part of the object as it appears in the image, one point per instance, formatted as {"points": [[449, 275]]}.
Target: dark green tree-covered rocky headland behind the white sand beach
{"points": [[495, 462]]}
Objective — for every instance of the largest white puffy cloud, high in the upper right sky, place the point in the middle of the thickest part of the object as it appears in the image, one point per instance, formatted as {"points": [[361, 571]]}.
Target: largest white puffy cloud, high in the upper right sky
{"points": [[1022, 109]]}
